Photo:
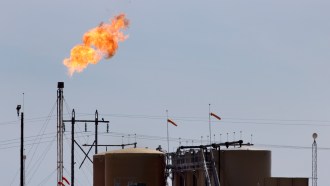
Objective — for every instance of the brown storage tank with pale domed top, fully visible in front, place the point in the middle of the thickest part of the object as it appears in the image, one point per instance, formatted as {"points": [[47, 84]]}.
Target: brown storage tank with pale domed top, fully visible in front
{"points": [[135, 167]]}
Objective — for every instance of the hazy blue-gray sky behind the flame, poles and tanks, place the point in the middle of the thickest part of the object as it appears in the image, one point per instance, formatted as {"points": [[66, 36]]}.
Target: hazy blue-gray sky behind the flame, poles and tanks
{"points": [[263, 66]]}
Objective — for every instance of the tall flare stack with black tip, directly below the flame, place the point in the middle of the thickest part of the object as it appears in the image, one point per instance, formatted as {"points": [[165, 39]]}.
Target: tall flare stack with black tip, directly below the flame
{"points": [[60, 131]]}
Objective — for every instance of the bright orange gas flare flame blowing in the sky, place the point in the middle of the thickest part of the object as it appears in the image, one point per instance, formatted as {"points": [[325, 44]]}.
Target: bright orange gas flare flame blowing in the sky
{"points": [[100, 42]]}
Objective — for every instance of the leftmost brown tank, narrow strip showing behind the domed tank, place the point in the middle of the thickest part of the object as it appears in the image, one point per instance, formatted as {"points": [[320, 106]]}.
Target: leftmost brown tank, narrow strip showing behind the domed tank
{"points": [[99, 170]]}
